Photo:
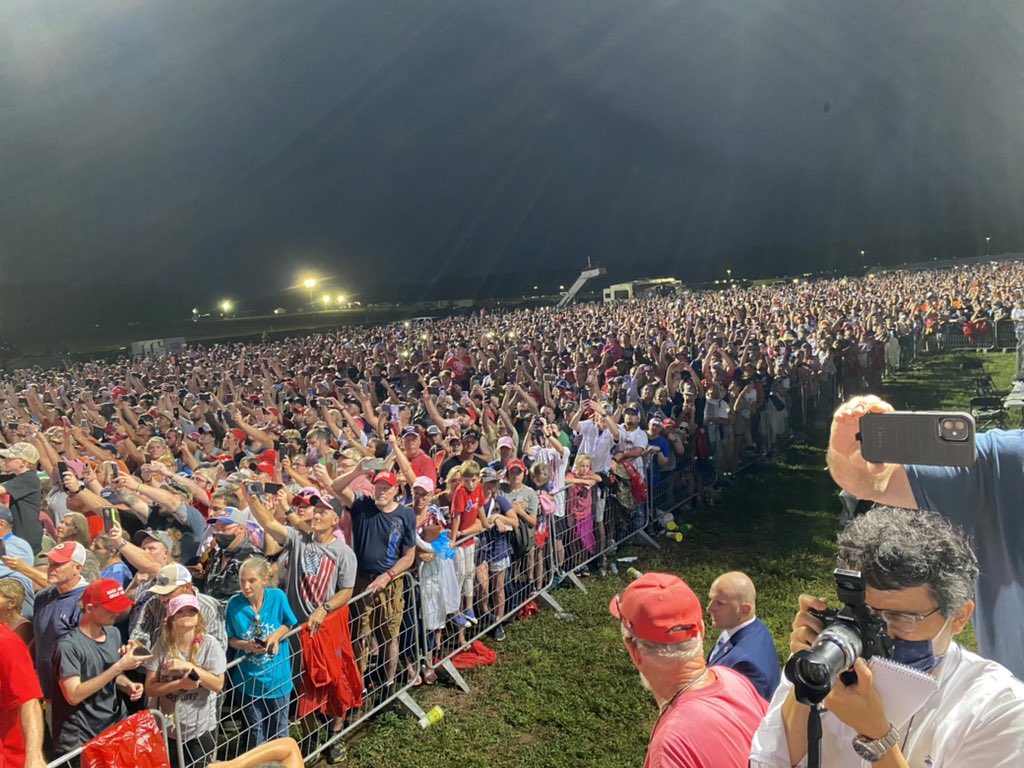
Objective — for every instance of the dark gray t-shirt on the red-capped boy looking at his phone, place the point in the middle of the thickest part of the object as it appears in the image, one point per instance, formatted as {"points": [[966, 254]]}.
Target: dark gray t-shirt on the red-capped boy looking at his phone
{"points": [[81, 657]]}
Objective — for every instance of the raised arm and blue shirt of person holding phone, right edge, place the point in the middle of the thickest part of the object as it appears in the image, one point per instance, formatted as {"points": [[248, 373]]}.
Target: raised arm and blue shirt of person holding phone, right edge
{"points": [[984, 499]]}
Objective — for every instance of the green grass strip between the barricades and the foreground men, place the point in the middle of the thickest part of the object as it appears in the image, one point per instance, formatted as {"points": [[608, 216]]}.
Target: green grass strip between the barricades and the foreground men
{"points": [[566, 695]]}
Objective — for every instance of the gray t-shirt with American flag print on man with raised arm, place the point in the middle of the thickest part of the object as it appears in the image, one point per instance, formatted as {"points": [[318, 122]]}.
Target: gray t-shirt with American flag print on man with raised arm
{"points": [[316, 572]]}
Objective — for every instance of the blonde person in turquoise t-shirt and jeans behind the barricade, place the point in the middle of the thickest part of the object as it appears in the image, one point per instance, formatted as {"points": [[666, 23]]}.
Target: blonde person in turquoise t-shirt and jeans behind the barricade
{"points": [[258, 620]]}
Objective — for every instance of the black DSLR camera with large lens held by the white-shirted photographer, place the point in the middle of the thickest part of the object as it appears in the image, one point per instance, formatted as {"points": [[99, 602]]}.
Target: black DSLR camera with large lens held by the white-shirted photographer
{"points": [[849, 632]]}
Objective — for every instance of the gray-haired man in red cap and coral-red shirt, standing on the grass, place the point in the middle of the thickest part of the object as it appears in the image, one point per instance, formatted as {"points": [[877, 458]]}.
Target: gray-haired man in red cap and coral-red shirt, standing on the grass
{"points": [[708, 716]]}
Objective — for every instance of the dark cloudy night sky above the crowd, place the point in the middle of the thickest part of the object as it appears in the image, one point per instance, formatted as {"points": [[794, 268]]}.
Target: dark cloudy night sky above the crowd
{"points": [[232, 144]]}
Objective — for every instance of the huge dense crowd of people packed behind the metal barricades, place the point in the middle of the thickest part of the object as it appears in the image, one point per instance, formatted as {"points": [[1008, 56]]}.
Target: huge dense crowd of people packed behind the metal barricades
{"points": [[165, 518]]}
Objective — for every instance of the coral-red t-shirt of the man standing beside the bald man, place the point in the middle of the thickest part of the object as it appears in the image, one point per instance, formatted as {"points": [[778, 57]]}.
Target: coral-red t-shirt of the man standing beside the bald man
{"points": [[711, 728]]}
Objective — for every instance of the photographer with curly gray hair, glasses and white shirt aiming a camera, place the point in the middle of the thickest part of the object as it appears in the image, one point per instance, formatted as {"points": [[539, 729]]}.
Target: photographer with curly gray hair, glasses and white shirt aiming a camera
{"points": [[912, 598]]}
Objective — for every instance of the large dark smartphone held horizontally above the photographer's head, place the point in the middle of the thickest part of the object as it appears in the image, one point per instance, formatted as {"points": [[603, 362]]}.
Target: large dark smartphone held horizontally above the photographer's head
{"points": [[926, 438]]}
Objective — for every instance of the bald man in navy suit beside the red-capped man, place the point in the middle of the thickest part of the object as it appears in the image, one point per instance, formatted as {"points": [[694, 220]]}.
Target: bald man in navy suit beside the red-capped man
{"points": [[746, 645]]}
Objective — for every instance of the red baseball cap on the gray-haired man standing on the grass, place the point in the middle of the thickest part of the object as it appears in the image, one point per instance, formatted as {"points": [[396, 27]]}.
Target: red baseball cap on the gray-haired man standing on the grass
{"points": [[660, 609]]}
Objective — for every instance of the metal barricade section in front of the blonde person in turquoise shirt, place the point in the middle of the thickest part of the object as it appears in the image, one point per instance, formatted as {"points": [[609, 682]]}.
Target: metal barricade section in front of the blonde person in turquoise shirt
{"points": [[323, 700]]}
